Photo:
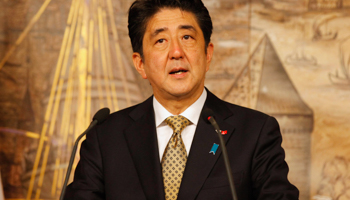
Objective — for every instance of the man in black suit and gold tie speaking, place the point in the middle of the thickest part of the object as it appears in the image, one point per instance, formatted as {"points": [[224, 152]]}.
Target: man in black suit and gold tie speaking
{"points": [[126, 156]]}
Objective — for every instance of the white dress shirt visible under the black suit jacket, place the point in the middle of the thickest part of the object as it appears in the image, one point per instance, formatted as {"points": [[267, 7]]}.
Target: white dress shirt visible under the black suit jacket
{"points": [[164, 132]]}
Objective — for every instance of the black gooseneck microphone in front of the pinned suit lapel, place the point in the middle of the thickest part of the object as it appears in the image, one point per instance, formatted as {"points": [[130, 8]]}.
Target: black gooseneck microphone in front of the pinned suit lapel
{"points": [[208, 116]]}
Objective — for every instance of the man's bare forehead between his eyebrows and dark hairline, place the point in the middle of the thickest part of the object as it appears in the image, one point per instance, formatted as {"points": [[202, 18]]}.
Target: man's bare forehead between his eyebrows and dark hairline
{"points": [[171, 19]]}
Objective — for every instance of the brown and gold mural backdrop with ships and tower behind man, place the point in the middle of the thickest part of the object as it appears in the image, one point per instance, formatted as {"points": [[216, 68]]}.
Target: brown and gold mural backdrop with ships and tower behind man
{"points": [[61, 61]]}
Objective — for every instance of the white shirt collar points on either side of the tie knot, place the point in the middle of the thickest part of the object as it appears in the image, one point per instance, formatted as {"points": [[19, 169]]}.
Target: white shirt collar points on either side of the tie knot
{"points": [[192, 113]]}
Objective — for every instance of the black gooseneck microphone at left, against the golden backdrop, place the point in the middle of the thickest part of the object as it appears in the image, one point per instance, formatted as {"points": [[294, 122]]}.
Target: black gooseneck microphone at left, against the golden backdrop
{"points": [[98, 118]]}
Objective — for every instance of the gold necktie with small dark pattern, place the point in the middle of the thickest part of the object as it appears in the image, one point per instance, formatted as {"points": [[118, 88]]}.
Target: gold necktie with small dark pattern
{"points": [[174, 157]]}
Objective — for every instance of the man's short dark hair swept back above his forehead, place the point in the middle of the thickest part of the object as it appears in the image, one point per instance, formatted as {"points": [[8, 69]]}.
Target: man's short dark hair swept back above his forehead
{"points": [[141, 11]]}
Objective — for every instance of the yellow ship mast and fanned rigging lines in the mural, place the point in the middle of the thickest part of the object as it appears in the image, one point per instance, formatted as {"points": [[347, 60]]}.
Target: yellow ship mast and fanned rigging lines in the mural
{"points": [[91, 73]]}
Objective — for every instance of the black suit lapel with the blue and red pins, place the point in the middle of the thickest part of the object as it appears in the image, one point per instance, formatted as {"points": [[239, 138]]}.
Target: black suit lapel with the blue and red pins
{"points": [[200, 162]]}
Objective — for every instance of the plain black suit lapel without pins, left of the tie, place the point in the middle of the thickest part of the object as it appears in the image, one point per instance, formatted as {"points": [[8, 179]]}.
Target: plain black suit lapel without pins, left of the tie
{"points": [[143, 145]]}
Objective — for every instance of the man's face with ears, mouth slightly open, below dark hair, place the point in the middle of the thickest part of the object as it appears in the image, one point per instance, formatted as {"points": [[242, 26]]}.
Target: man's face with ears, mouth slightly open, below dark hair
{"points": [[174, 59]]}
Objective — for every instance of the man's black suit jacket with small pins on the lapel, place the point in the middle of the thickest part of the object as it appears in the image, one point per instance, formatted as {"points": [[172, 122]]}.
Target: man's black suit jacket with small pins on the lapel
{"points": [[120, 159]]}
